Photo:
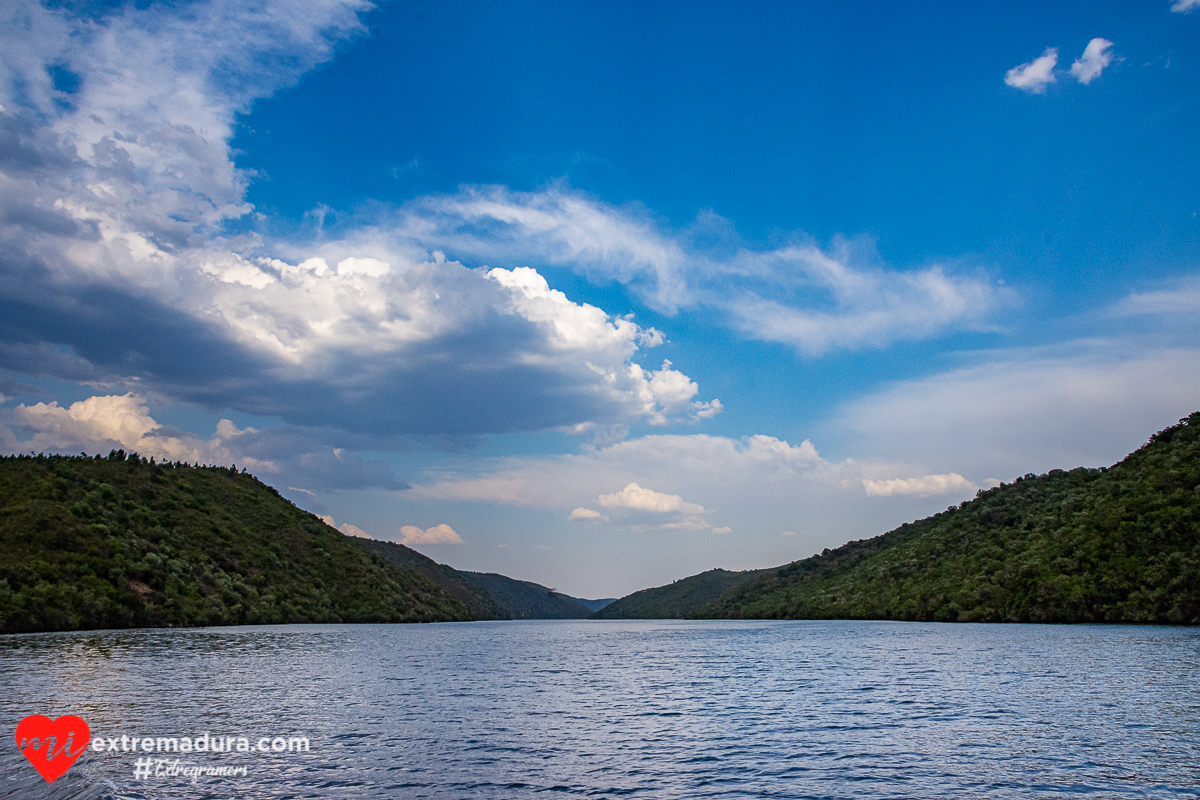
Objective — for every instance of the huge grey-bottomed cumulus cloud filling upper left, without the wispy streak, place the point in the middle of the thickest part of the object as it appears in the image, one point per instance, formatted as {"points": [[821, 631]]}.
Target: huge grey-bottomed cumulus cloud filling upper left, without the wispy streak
{"points": [[117, 267]]}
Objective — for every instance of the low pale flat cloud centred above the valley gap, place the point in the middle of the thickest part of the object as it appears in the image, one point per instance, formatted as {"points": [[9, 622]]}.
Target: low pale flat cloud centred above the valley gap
{"points": [[767, 483]]}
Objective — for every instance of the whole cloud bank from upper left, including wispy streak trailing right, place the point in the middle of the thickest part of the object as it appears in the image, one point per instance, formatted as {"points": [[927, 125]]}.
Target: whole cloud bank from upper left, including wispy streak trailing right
{"points": [[119, 266]]}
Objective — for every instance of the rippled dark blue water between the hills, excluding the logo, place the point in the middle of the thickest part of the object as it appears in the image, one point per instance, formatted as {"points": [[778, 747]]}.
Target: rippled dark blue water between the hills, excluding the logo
{"points": [[644, 709]]}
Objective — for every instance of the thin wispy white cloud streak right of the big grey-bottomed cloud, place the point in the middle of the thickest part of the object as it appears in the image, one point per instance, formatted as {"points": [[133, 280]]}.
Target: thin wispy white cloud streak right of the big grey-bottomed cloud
{"points": [[815, 300]]}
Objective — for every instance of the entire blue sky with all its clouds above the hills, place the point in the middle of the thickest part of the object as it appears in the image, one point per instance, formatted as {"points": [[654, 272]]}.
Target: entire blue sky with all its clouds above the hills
{"points": [[602, 294]]}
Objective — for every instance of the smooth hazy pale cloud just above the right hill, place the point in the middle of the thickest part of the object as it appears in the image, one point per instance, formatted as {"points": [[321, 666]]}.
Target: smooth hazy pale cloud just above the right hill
{"points": [[1078, 405]]}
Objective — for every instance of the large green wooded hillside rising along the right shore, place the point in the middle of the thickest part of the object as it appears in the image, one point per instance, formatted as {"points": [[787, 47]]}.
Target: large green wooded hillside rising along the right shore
{"points": [[1118, 545]]}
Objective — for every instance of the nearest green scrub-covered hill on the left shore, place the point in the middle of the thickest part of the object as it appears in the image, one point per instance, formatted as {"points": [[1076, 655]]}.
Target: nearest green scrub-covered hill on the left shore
{"points": [[125, 543]]}
